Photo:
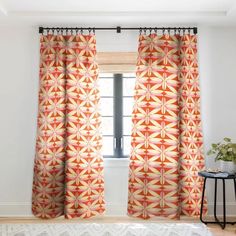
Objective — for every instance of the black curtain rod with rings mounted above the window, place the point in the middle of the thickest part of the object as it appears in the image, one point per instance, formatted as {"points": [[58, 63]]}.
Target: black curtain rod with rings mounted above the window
{"points": [[118, 28]]}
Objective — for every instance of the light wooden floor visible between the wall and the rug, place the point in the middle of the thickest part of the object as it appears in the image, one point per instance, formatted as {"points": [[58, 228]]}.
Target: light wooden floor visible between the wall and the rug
{"points": [[215, 229]]}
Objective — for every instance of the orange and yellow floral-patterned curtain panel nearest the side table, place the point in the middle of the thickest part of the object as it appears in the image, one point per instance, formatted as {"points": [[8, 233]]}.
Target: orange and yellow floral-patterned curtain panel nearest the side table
{"points": [[167, 146]]}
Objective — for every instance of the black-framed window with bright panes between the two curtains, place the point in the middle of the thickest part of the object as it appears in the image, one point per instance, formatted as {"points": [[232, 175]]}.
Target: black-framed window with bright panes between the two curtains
{"points": [[116, 108]]}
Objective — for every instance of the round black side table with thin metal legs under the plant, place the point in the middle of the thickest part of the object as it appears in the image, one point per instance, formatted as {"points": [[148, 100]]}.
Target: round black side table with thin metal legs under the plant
{"points": [[206, 175]]}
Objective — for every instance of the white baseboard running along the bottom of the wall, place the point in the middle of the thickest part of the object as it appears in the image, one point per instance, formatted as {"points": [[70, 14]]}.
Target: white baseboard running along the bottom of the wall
{"points": [[23, 209]]}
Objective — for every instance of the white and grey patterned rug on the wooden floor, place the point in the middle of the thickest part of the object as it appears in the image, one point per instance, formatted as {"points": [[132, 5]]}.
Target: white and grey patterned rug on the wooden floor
{"points": [[105, 229]]}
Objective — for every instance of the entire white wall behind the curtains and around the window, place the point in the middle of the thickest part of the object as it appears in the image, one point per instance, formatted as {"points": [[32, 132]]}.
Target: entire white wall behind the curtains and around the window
{"points": [[19, 60]]}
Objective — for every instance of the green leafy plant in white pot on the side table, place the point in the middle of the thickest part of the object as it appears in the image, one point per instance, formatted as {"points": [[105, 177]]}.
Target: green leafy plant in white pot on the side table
{"points": [[225, 152]]}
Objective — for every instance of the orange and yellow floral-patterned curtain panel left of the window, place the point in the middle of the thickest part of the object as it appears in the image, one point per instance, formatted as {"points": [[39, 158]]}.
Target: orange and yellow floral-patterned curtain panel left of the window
{"points": [[68, 169]]}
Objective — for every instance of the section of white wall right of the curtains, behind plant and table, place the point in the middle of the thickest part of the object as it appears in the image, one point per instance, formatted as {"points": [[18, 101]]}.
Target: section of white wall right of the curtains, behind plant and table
{"points": [[217, 50]]}
